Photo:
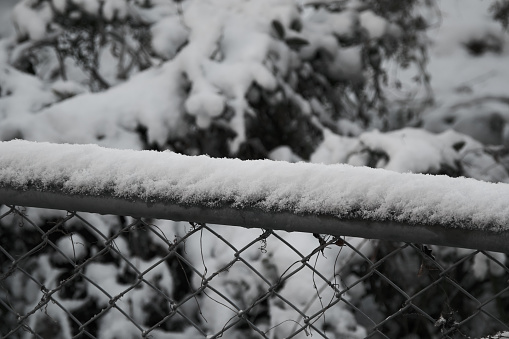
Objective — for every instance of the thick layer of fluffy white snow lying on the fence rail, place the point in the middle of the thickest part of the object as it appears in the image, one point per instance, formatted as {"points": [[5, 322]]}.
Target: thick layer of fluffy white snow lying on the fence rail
{"points": [[340, 190]]}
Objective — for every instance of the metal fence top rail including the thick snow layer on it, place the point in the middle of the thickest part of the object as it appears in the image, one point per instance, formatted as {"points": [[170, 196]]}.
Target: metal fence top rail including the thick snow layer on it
{"points": [[335, 199]]}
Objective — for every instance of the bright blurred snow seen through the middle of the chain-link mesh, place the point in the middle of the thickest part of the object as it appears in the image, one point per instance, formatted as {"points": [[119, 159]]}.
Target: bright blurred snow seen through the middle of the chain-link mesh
{"points": [[243, 285]]}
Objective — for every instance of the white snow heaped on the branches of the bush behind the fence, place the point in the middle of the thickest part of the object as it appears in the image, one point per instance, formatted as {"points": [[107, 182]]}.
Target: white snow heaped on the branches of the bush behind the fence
{"points": [[220, 49]]}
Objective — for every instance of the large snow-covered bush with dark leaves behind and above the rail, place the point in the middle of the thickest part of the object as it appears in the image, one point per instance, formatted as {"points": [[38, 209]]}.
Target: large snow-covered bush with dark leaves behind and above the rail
{"points": [[224, 78]]}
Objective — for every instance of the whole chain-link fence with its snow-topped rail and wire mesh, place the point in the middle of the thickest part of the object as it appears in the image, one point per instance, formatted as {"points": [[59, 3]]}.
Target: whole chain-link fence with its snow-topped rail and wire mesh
{"points": [[121, 273]]}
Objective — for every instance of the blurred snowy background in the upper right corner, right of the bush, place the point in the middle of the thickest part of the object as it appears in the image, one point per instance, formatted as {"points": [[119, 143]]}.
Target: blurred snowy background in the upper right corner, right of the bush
{"points": [[469, 89]]}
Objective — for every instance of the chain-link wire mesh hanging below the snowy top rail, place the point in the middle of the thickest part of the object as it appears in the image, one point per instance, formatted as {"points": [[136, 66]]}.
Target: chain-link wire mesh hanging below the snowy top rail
{"points": [[80, 275]]}
